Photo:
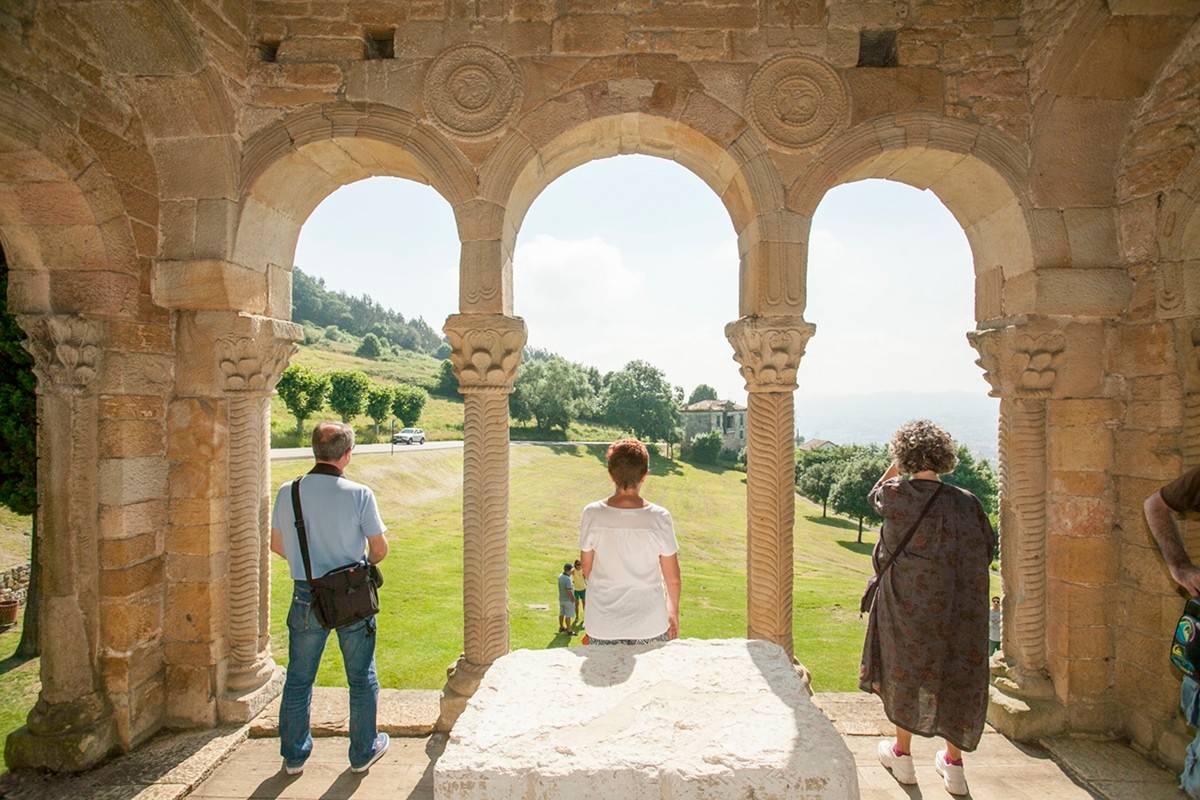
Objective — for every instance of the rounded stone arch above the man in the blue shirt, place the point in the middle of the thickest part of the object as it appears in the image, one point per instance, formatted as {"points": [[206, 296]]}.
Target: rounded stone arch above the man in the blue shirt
{"points": [[292, 166]]}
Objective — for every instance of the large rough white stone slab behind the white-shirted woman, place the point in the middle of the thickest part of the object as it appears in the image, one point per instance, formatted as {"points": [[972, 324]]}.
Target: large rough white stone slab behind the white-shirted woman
{"points": [[688, 720]]}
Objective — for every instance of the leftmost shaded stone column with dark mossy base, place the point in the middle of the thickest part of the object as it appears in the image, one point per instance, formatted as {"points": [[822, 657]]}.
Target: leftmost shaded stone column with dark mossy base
{"points": [[71, 727]]}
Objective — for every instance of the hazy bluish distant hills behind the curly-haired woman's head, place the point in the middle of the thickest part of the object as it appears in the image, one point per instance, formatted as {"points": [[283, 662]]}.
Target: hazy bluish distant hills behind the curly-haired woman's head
{"points": [[868, 419]]}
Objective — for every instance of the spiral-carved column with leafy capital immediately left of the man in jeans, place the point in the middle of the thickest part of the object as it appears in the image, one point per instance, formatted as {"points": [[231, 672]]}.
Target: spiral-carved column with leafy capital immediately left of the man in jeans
{"points": [[250, 366]]}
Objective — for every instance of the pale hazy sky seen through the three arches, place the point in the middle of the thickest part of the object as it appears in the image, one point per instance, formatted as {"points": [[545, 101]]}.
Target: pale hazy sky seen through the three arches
{"points": [[635, 258]]}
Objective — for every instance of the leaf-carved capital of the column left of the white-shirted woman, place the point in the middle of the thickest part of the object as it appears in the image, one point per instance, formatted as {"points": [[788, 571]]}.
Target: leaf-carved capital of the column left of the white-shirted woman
{"points": [[485, 351]]}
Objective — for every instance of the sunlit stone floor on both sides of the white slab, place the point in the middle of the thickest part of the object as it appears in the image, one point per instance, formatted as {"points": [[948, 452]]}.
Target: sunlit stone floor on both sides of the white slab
{"points": [[175, 766]]}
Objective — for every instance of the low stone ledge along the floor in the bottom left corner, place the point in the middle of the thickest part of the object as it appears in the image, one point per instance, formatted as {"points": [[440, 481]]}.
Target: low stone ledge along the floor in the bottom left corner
{"points": [[166, 768]]}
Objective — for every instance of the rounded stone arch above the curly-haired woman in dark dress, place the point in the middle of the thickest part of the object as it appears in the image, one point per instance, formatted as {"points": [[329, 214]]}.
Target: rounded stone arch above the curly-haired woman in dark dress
{"points": [[979, 175]]}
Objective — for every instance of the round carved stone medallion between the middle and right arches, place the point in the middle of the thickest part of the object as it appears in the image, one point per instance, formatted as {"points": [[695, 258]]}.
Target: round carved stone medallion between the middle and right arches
{"points": [[797, 103]]}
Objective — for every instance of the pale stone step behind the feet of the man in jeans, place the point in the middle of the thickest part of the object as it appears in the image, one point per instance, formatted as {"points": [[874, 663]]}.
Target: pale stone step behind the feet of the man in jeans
{"points": [[403, 713]]}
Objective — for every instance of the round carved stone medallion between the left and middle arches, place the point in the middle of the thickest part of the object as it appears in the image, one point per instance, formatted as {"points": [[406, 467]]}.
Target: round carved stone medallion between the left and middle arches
{"points": [[472, 91]]}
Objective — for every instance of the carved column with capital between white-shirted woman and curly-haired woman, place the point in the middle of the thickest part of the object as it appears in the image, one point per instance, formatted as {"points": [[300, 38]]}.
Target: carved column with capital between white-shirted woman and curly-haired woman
{"points": [[770, 351]]}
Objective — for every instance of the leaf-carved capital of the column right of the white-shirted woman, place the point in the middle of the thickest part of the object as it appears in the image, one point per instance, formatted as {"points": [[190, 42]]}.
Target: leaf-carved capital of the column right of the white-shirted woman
{"points": [[770, 351]]}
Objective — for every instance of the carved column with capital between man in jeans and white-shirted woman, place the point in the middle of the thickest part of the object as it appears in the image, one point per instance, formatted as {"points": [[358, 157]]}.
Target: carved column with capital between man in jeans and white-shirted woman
{"points": [[487, 353]]}
